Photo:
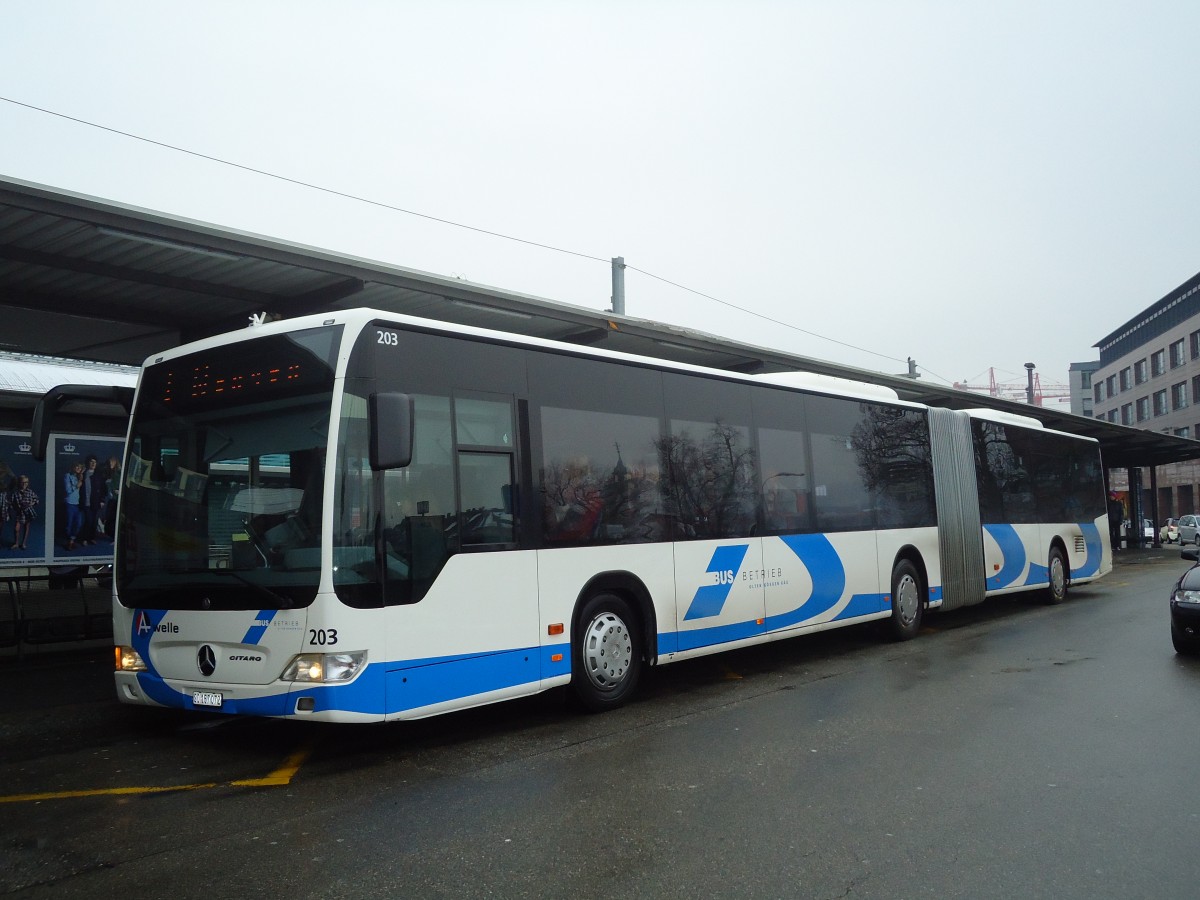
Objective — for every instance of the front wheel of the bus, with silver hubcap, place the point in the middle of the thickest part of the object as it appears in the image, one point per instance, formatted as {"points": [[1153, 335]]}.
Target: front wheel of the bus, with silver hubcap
{"points": [[608, 655]]}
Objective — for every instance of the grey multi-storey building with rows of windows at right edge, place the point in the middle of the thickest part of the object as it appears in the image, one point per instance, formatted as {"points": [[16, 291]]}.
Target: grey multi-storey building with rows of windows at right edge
{"points": [[1149, 377]]}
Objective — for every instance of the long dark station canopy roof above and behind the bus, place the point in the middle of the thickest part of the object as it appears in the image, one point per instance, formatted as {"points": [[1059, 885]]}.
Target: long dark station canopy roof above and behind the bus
{"points": [[88, 279]]}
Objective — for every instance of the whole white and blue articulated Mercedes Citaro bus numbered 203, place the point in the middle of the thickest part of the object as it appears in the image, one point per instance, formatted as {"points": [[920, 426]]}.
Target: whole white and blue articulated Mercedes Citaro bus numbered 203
{"points": [[362, 517]]}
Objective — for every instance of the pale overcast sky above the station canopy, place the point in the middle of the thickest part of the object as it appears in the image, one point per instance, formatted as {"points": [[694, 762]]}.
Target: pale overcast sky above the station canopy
{"points": [[973, 185]]}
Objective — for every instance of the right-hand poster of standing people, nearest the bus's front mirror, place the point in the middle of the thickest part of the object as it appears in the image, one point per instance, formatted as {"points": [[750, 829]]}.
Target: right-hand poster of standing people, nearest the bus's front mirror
{"points": [[85, 484]]}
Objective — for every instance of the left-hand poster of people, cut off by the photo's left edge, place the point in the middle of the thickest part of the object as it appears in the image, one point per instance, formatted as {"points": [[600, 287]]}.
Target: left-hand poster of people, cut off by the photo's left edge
{"points": [[23, 508]]}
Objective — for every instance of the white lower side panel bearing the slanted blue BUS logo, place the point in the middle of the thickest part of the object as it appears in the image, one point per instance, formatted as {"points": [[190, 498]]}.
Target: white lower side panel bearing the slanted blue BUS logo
{"points": [[719, 590]]}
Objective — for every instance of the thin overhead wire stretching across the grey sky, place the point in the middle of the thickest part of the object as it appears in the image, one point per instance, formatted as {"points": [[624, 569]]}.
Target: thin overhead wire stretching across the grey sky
{"points": [[440, 220]]}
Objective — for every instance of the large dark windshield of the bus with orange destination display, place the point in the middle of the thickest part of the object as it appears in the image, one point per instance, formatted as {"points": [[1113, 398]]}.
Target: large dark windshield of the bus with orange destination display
{"points": [[221, 501]]}
